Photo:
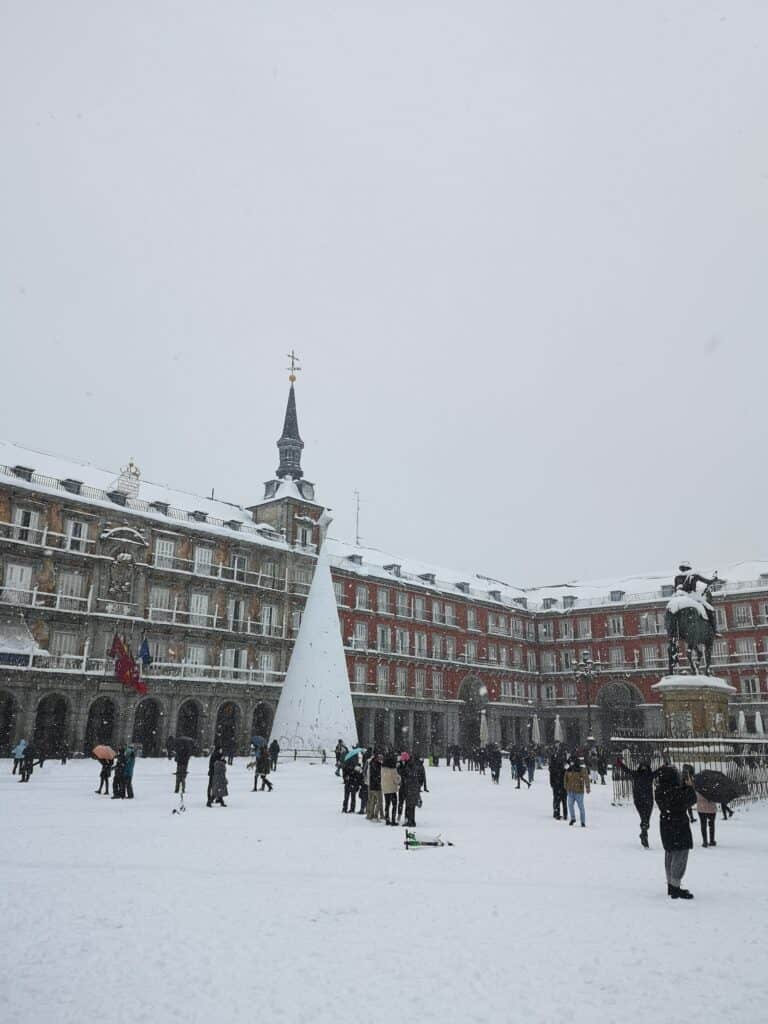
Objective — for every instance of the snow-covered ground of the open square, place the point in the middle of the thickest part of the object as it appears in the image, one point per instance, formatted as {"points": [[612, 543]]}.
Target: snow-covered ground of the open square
{"points": [[281, 909]]}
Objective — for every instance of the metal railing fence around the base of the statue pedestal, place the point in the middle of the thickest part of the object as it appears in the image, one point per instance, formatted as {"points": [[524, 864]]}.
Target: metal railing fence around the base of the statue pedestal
{"points": [[745, 761]]}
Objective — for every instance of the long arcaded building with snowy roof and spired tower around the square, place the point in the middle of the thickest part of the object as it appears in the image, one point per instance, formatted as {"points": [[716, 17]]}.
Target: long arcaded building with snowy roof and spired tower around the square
{"points": [[212, 592]]}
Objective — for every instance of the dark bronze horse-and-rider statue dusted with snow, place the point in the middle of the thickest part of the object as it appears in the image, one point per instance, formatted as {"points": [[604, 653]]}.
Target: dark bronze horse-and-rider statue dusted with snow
{"points": [[691, 617]]}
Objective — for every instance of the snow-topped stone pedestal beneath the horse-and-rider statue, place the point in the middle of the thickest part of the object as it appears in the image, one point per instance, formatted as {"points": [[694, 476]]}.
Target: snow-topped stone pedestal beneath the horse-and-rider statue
{"points": [[695, 706]]}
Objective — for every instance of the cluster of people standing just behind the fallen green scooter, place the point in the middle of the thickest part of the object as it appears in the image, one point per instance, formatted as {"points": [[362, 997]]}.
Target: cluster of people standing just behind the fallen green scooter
{"points": [[389, 785]]}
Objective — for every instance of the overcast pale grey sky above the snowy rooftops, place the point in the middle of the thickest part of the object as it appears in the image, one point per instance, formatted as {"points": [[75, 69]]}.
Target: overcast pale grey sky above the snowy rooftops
{"points": [[522, 249]]}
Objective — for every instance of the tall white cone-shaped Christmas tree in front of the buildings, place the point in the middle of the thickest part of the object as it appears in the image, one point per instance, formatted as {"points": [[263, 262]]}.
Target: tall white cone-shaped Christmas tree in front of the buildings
{"points": [[316, 707]]}
